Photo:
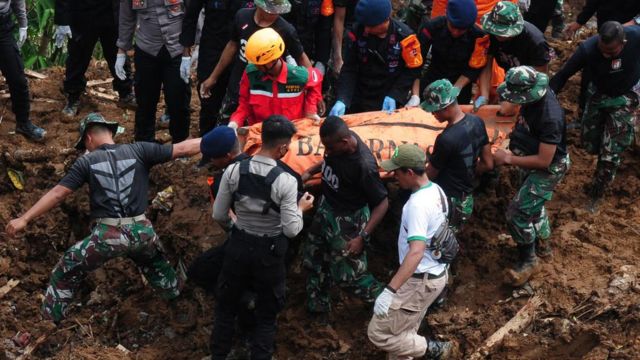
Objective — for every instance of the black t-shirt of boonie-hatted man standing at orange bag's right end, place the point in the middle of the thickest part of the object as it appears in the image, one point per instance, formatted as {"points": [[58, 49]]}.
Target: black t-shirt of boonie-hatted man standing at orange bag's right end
{"points": [[544, 119]]}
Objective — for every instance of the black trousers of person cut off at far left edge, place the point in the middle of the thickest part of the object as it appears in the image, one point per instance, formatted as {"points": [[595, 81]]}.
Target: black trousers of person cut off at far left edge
{"points": [[12, 69]]}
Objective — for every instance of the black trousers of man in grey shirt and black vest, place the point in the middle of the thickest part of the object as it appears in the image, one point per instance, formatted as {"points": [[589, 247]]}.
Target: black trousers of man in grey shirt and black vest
{"points": [[256, 263]]}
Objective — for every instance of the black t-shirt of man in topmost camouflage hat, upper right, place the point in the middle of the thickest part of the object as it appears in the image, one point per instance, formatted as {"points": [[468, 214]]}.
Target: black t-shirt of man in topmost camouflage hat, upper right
{"points": [[528, 48]]}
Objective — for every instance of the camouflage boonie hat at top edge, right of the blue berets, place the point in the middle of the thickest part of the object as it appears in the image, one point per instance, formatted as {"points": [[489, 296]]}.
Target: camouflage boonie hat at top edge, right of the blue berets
{"points": [[504, 20]]}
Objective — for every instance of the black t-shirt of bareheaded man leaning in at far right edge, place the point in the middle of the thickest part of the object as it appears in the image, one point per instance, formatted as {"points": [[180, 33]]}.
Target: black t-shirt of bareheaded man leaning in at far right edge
{"points": [[612, 77]]}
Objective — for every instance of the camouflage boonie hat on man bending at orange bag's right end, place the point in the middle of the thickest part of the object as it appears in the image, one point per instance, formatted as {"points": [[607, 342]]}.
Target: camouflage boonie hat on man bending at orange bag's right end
{"points": [[523, 85]]}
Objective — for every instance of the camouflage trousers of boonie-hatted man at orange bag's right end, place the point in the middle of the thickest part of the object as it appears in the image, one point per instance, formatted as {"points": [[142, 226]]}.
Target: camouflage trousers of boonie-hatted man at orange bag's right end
{"points": [[527, 218]]}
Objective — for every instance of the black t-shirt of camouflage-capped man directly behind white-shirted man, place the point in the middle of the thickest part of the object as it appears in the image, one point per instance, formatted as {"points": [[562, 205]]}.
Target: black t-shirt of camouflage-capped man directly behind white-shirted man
{"points": [[455, 154]]}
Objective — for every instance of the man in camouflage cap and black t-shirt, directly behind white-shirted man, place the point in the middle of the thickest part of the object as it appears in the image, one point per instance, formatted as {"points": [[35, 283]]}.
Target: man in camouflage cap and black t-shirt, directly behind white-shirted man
{"points": [[460, 152]]}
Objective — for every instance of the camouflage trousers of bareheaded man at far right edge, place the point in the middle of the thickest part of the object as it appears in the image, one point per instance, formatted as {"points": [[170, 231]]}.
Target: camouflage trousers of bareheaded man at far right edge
{"points": [[607, 130]]}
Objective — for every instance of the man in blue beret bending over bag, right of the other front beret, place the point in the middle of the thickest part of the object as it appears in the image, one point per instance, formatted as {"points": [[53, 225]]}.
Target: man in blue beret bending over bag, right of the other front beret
{"points": [[452, 41]]}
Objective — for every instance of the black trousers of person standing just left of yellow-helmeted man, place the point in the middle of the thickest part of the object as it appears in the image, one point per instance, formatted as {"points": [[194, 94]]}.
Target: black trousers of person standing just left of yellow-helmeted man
{"points": [[210, 107]]}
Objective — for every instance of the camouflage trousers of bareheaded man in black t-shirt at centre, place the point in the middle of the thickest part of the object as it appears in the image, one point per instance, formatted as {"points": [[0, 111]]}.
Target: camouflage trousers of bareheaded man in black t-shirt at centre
{"points": [[326, 262]]}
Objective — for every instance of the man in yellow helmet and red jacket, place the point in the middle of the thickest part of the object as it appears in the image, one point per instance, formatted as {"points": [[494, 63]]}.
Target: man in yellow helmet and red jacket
{"points": [[270, 85]]}
